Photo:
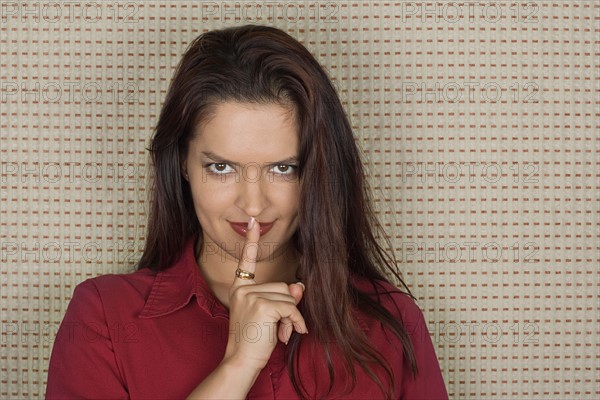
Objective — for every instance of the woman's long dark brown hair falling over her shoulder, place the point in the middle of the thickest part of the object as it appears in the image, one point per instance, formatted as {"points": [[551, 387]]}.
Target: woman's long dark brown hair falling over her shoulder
{"points": [[266, 65]]}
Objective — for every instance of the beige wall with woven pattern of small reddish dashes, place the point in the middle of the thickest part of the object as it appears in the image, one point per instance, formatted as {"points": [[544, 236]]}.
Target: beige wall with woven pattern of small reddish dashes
{"points": [[479, 124]]}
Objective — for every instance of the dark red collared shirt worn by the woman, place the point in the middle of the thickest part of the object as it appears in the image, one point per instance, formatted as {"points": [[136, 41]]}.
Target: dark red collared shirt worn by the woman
{"points": [[157, 336]]}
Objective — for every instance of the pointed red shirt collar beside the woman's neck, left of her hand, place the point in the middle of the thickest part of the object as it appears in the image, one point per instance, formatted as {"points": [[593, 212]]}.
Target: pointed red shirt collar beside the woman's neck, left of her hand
{"points": [[174, 287]]}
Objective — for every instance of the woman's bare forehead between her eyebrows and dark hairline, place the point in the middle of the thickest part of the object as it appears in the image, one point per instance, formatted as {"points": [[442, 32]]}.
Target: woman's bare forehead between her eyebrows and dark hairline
{"points": [[248, 132]]}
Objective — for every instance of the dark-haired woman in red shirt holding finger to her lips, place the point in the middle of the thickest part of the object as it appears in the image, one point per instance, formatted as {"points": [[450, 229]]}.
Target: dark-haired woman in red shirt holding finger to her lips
{"points": [[261, 276]]}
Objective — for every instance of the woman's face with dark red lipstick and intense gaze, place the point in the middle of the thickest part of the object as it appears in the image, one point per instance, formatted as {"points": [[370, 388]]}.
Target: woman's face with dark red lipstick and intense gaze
{"points": [[242, 163]]}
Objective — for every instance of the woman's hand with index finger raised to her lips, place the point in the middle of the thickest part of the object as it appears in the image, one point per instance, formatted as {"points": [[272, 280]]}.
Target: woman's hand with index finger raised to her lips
{"points": [[260, 314]]}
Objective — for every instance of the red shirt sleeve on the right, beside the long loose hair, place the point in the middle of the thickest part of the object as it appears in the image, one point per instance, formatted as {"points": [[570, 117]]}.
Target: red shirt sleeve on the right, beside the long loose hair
{"points": [[429, 383]]}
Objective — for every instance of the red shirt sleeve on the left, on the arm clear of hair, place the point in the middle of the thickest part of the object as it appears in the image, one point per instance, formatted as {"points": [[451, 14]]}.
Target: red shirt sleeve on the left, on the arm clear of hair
{"points": [[83, 363]]}
